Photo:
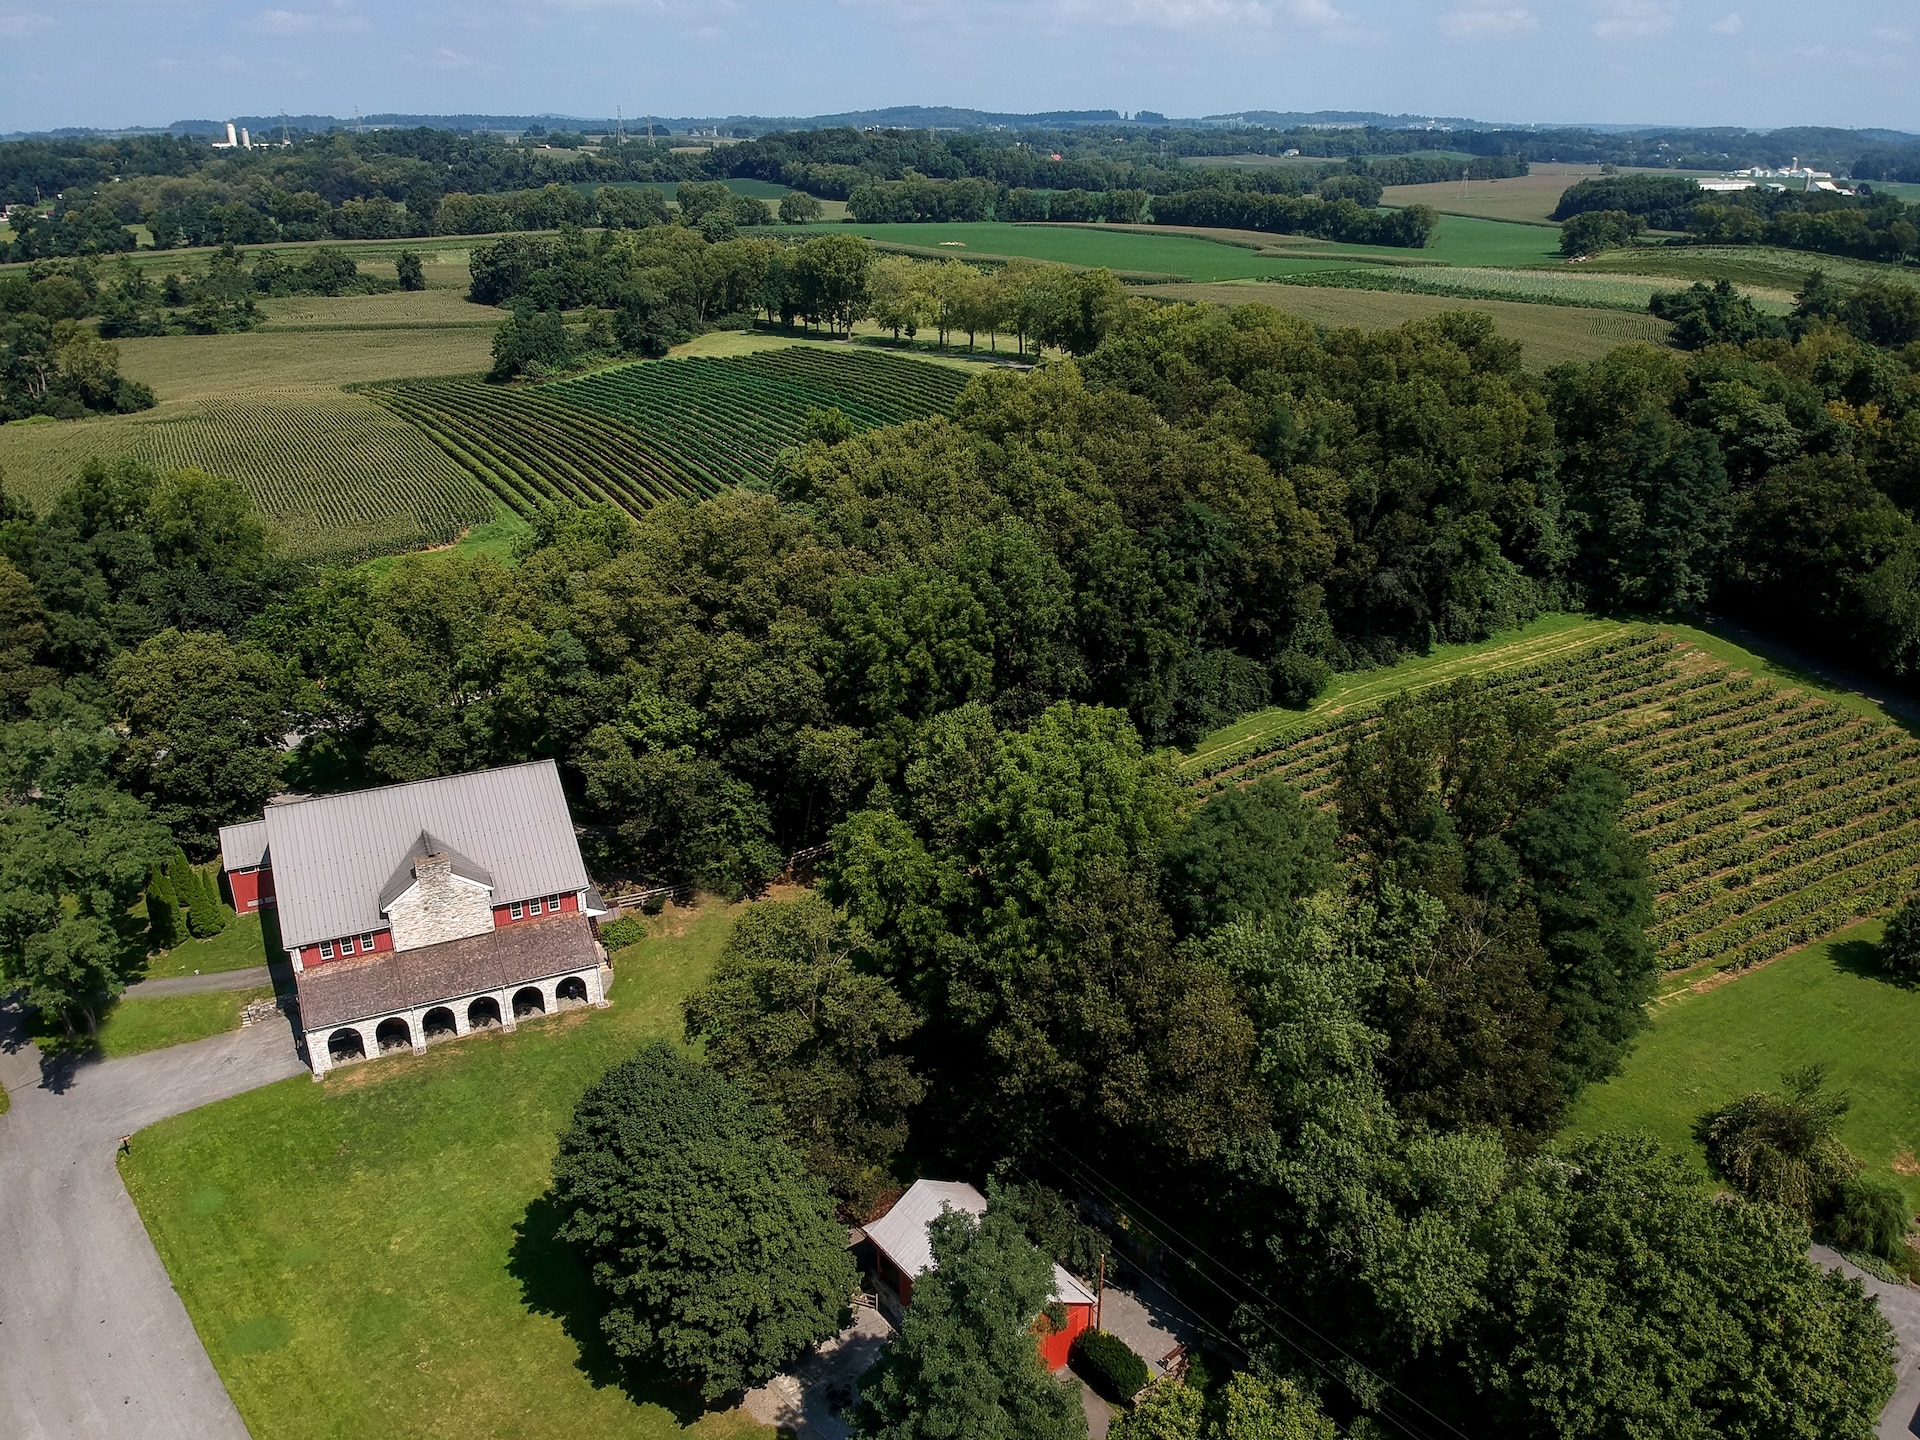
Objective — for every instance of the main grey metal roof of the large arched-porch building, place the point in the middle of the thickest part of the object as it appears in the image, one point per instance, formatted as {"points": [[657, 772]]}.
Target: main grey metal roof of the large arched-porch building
{"points": [[333, 855]]}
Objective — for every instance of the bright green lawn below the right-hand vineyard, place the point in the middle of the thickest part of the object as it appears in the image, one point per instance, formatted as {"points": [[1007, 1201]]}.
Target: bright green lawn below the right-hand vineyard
{"points": [[1821, 1005]]}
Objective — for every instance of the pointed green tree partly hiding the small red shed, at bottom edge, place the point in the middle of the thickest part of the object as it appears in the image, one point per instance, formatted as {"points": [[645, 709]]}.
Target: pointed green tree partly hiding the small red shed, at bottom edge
{"points": [[967, 1360]]}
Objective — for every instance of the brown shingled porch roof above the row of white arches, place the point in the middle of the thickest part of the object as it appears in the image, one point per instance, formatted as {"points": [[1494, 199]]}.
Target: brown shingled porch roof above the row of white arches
{"points": [[393, 982]]}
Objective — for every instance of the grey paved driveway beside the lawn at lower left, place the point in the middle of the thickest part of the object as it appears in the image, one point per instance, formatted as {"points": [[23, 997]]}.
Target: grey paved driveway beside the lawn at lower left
{"points": [[95, 1345]]}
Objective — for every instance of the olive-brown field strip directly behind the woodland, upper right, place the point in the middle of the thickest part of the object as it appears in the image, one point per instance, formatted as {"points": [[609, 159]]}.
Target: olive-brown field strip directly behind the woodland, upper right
{"points": [[1548, 335]]}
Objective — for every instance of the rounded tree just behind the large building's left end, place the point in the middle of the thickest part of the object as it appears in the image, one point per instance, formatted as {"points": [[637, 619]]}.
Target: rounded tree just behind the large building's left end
{"points": [[206, 731]]}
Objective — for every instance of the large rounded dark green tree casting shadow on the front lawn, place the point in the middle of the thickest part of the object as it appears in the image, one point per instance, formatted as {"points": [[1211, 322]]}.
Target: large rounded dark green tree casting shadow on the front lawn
{"points": [[713, 1251]]}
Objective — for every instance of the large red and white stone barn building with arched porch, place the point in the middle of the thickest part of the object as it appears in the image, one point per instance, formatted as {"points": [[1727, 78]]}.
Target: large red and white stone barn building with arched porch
{"points": [[425, 911]]}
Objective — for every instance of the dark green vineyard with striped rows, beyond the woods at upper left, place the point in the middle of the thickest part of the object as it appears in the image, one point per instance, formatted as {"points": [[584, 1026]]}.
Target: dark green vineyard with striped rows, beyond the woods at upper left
{"points": [[675, 429]]}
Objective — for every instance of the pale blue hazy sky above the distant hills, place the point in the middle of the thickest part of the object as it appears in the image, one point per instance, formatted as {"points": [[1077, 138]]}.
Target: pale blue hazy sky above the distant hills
{"points": [[1673, 62]]}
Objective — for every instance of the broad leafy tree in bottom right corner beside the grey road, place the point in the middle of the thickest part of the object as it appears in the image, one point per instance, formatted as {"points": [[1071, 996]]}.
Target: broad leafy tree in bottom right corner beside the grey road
{"points": [[1625, 1299]]}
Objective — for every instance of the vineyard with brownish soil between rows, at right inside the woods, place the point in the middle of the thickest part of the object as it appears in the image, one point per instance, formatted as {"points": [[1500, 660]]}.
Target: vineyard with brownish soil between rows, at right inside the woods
{"points": [[1771, 815]]}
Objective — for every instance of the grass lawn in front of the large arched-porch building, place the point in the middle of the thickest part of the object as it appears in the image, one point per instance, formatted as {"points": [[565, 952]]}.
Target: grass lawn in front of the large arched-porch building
{"points": [[373, 1257]]}
